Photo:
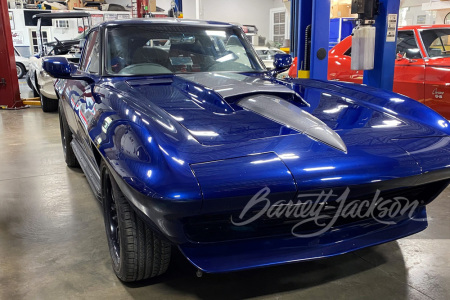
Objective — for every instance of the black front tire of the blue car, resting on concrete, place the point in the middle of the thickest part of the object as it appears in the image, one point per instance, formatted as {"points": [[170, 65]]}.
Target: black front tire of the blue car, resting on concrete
{"points": [[137, 252]]}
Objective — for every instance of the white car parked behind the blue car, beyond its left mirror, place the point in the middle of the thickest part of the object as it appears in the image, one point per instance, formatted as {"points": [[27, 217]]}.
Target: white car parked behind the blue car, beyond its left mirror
{"points": [[38, 80]]}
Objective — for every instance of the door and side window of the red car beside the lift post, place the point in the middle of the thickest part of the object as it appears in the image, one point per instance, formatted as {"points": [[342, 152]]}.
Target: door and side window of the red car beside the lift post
{"points": [[409, 75]]}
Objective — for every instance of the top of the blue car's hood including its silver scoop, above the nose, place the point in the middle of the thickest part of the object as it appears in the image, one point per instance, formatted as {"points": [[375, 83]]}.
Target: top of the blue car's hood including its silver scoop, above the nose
{"points": [[230, 108]]}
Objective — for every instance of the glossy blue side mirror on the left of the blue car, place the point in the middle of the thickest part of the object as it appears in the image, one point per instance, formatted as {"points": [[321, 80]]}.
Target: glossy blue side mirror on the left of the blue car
{"points": [[60, 67]]}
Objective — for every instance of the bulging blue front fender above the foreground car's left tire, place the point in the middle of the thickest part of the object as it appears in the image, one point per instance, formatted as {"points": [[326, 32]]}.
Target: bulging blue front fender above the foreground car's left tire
{"points": [[140, 152]]}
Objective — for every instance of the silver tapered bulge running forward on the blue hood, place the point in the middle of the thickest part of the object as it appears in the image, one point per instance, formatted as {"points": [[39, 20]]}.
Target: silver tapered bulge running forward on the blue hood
{"points": [[287, 114]]}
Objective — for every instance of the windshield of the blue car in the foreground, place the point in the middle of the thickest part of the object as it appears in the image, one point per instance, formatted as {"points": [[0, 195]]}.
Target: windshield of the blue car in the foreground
{"points": [[168, 49]]}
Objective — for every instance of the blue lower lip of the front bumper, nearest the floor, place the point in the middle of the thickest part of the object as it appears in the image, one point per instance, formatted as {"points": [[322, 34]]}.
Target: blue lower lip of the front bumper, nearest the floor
{"points": [[246, 254]]}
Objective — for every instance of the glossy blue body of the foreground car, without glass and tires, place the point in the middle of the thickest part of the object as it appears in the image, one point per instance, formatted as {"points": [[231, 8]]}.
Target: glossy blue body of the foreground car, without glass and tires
{"points": [[189, 158]]}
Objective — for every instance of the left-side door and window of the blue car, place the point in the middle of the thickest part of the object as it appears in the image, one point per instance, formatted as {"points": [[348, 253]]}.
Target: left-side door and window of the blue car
{"points": [[81, 102]]}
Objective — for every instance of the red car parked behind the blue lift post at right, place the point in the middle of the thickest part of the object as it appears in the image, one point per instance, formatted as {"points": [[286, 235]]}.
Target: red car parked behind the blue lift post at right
{"points": [[422, 67]]}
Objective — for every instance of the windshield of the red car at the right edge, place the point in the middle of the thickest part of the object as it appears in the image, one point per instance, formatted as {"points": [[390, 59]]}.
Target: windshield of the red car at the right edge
{"points": [[436, 42]]}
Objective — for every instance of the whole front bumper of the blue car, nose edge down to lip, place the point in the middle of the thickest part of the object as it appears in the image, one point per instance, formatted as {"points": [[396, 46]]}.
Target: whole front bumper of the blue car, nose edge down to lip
{"points": [[215, 246]]}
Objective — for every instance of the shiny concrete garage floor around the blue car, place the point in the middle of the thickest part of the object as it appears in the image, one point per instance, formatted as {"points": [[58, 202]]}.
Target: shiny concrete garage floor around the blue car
{"points": [[53, 244]]}
